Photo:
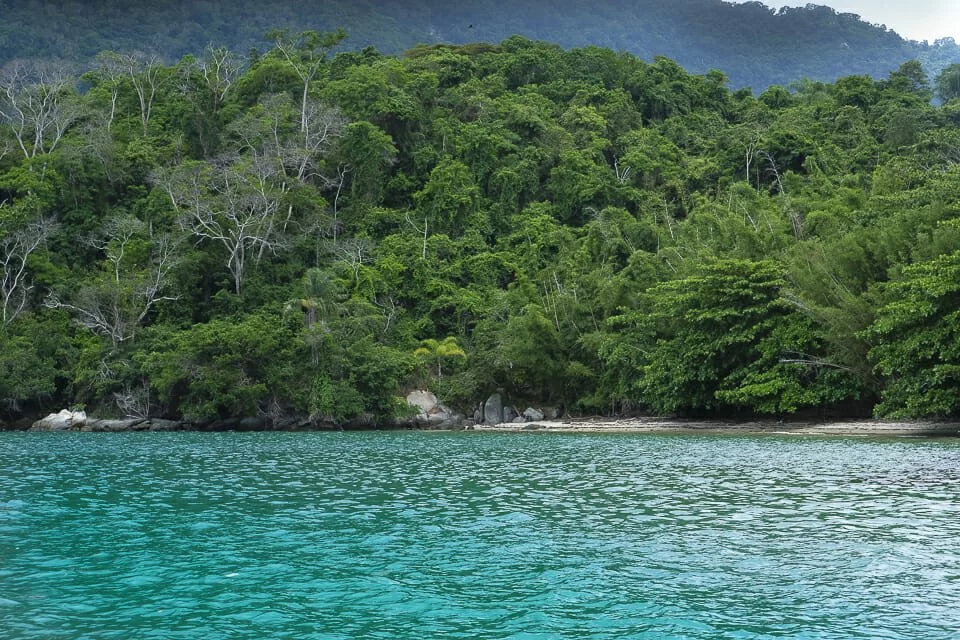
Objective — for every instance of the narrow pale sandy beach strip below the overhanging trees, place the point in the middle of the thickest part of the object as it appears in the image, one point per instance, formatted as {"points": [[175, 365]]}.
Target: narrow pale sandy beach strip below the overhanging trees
{"points": [[867, 427]]}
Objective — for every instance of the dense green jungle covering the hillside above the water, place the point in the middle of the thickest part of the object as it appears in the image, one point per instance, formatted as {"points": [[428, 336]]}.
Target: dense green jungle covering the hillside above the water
{"points": [[310, 234]]}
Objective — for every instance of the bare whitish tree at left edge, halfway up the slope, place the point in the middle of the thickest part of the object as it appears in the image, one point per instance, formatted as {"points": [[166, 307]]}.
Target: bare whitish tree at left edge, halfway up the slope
{"points": [[16, 246]]}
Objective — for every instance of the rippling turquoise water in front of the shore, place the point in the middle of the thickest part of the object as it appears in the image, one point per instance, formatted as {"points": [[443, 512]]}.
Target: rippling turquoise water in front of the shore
{"points": [[439, 535]]}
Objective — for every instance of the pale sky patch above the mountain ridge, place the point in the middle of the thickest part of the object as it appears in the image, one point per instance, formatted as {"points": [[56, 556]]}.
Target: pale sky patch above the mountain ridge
{"points": [[912, 19]]}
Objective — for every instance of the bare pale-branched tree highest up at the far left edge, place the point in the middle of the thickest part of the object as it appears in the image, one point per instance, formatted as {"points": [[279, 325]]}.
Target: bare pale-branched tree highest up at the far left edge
{"points": [[37, 103]]}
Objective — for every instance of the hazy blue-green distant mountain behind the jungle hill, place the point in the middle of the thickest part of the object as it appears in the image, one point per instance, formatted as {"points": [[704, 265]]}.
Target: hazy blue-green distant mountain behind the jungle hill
{"points": [[754, 45]]}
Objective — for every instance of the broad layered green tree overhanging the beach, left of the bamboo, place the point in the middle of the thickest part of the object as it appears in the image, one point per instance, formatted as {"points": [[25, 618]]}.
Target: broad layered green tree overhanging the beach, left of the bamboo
{"points": [[723, 338]]}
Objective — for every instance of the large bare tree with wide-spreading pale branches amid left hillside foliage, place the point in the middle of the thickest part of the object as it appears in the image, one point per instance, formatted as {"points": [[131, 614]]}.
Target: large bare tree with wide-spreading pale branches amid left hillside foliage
{"points": [[235, 203]]}
